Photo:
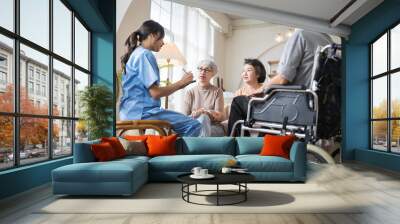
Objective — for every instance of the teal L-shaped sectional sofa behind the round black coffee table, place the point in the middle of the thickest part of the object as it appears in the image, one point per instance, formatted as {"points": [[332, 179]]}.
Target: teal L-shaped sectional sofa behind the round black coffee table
{"points": [[125, 176]]}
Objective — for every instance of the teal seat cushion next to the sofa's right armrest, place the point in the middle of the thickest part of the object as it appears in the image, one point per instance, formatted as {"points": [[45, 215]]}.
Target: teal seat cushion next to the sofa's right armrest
{"points": [[257, 163]]}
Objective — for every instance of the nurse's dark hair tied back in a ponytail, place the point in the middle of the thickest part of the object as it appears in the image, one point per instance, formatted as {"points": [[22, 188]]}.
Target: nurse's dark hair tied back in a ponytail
{"points": [[148, 27]]}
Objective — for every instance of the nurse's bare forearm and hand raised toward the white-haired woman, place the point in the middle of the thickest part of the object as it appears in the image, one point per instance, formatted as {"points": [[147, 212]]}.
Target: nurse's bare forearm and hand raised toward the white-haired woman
{"points": [[157, 91]]}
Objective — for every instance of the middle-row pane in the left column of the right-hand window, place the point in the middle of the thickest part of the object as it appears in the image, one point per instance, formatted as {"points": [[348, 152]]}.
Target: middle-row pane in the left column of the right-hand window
{"points": [[379, 98]]}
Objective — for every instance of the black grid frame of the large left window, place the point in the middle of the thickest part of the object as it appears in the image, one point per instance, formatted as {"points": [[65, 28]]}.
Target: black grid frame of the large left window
{"points": [[16, 114]]}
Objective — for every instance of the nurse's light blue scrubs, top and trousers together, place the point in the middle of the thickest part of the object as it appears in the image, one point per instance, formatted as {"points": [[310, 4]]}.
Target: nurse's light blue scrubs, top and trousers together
{"points": [[141, 72]]}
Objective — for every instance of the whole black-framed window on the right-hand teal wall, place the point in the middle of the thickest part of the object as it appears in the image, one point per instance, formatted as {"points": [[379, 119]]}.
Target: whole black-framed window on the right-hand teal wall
{"points": [[385, 94]]}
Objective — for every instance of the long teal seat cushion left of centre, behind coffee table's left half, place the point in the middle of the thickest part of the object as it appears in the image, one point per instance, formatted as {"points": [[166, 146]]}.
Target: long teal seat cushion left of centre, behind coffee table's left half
{"points": [[185, 163]]}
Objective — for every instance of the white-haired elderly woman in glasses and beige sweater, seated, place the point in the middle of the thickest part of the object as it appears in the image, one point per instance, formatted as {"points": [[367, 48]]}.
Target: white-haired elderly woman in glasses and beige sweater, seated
{"points": [[205, 101]]}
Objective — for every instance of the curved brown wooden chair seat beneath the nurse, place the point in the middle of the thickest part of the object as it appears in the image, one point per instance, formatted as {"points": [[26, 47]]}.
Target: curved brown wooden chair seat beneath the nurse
{"points": [[162, 127]]}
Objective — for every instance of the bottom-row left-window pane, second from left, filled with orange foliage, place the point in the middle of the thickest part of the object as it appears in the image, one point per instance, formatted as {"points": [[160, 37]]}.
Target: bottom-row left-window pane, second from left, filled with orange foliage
{"points": [[33, 139]]}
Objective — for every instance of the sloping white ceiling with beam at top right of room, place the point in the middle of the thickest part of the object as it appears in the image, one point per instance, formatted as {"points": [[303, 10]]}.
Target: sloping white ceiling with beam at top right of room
{"points": [[314, 15]]}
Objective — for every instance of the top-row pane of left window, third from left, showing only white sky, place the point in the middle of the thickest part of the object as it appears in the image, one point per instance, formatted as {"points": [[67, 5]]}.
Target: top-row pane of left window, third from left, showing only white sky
{"points": [[62, 29]]}
